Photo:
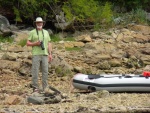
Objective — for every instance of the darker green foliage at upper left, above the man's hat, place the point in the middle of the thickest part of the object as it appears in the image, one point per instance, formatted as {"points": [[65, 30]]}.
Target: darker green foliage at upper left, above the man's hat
{"points": [[28, 9]]}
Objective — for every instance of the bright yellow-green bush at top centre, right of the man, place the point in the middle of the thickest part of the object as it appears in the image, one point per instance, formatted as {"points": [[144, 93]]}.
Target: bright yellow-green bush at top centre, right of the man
{"points": [[91, 12]]}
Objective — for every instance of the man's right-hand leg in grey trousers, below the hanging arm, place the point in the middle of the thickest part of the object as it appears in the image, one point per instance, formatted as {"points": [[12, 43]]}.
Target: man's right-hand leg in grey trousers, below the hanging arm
{"points": [[44, 71]]}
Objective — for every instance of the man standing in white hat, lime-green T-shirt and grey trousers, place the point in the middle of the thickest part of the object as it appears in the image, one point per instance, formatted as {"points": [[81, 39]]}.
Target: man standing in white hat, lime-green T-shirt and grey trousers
{"points": [[39, 39]]}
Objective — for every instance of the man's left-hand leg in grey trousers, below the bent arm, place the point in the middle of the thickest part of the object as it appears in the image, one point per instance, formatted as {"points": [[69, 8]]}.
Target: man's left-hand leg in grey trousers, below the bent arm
{"points": [[35, 71]]}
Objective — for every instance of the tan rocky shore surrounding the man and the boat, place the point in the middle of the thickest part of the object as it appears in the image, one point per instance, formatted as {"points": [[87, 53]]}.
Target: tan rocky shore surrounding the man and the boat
{"points": [[118, 50]]}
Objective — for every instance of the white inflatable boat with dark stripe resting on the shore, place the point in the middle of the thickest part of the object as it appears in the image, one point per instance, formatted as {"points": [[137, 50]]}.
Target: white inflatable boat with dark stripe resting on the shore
{"points": [[113, 82]]}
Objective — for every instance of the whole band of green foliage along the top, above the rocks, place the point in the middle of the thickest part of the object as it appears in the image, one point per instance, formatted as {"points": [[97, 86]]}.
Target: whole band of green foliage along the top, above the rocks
{"points": [[99, 12]]}
